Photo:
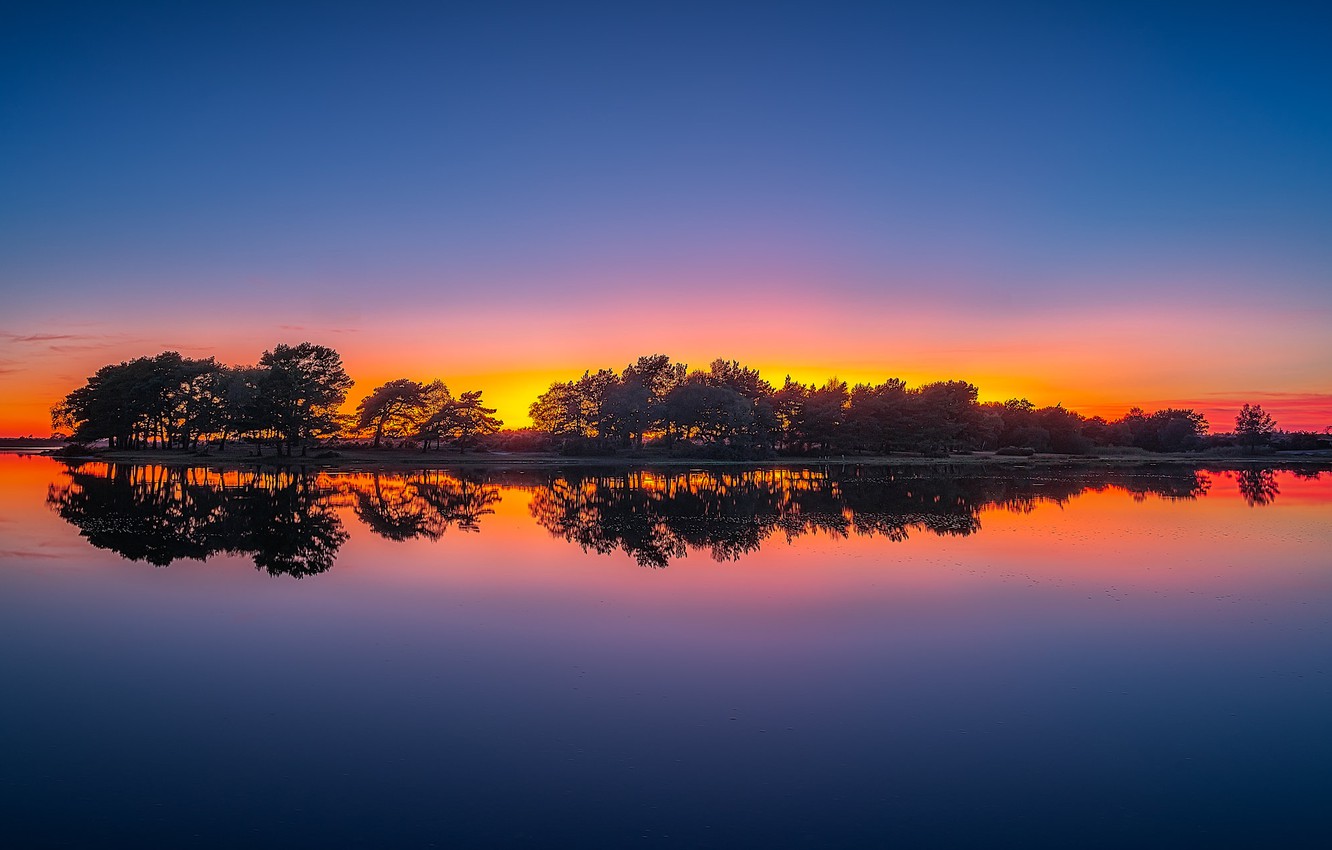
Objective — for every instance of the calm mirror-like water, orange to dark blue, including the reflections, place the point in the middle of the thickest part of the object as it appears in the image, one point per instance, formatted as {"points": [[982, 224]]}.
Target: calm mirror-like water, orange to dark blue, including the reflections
{"points": [[761, 659]]}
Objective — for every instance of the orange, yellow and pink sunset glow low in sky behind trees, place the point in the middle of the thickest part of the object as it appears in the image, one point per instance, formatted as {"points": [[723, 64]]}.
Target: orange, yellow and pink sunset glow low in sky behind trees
{"points": [[1096, 366]]}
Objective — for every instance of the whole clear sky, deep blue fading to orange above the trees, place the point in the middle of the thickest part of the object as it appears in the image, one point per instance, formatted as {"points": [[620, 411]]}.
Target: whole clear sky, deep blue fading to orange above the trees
{"points": [[1094, 205]]}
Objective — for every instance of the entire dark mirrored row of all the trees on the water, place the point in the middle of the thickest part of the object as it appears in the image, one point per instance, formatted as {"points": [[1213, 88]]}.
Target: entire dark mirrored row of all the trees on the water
{"points": [[294, 523]]}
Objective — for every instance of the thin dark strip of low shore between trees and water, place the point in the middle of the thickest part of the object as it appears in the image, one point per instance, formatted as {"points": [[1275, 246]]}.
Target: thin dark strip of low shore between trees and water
{"points": [[394, 460]]}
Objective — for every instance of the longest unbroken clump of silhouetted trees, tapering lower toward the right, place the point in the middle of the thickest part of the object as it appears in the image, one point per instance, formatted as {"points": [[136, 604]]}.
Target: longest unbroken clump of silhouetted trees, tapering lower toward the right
{"points": [[731, 411]]}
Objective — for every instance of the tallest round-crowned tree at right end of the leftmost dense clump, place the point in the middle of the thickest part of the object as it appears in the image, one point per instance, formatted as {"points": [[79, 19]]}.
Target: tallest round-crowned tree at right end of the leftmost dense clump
{"points": [[300, 392]]}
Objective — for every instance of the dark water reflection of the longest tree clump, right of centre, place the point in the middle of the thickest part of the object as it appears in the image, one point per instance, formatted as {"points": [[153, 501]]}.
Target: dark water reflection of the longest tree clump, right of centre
{"points": [[656, 518]]}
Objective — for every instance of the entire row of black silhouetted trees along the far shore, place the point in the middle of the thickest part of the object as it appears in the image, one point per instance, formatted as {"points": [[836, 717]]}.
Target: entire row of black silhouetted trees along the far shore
{"points": [[292, 399]]}
